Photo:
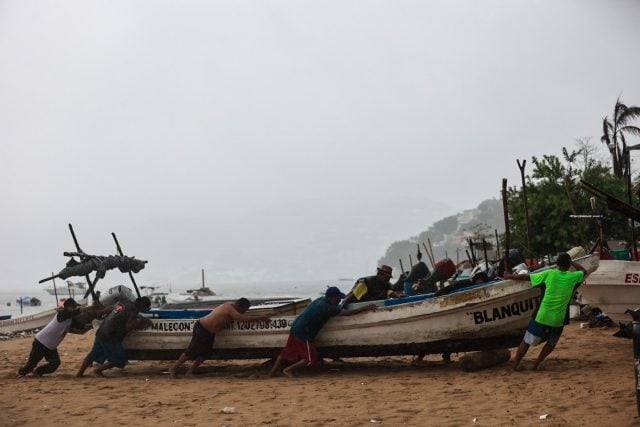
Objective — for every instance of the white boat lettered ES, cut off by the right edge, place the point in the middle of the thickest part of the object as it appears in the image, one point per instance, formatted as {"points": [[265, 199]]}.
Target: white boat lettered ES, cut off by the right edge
{"points": [[614, 287]]}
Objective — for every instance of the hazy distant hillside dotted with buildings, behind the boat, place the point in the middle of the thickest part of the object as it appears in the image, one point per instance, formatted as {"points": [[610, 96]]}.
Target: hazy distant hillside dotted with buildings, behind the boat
{"points": [[449, 235]]}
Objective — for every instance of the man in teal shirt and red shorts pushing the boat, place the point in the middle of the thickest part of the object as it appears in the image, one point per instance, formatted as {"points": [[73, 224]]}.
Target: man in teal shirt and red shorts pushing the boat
{"points": [[299, 349]]}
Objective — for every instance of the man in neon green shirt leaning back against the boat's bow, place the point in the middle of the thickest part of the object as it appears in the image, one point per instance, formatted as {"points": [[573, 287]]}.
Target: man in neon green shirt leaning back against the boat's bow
{"points": [[559, 283]]}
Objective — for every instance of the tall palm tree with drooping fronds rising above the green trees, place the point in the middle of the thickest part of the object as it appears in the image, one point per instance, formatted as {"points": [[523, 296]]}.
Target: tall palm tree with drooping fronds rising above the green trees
{"points": [[613, 135]]}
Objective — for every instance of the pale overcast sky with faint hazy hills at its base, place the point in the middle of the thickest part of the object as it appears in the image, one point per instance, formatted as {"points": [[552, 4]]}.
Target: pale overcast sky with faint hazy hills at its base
{"points": [[283, 139]]}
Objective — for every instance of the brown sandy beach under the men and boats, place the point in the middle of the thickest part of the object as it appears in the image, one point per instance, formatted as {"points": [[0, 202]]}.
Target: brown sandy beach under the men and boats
{"points": [[587, 381]]}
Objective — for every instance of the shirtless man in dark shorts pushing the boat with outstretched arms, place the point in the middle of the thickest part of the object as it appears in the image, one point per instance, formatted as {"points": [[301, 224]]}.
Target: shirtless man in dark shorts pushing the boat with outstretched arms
{"points": [[205, 330]]}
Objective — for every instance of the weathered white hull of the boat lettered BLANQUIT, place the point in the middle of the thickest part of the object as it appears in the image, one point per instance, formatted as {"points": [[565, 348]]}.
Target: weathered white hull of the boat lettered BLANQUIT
{"points": [[490, 315]]}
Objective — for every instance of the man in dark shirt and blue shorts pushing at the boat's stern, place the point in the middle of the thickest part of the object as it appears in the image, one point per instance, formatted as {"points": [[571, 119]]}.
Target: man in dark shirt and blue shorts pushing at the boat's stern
{"points": [[107, 347]]}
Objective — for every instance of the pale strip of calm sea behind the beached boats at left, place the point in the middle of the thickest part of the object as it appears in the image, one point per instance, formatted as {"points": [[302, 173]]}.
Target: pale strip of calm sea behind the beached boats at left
{"points": [[305, 289]]}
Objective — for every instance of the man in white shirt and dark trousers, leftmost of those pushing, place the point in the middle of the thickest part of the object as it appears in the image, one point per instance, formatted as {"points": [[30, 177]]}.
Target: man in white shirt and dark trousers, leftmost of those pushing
{"points": [[45, 343]]}
